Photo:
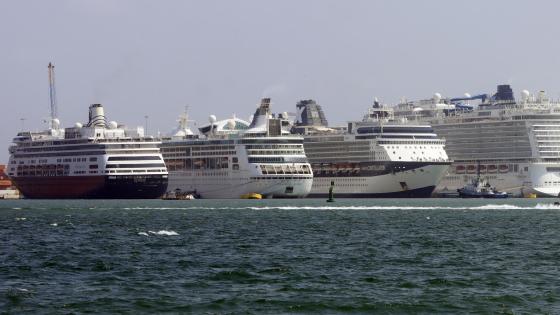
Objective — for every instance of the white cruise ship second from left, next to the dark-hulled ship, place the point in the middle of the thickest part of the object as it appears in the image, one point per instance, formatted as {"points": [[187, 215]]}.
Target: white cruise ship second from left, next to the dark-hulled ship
{"points": [[231, 158]]}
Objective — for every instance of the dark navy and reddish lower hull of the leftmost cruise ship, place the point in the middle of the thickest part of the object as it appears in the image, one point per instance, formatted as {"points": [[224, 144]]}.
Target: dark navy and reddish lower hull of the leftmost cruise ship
{"points": [[94, 187]]}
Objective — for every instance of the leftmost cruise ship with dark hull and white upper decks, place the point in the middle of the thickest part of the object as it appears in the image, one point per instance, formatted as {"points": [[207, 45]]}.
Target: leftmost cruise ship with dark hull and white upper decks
{"points": [[97, 160]]}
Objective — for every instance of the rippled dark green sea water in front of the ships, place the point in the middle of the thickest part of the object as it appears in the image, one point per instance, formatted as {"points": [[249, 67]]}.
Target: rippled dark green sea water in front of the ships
{"points": [[280, 256]]}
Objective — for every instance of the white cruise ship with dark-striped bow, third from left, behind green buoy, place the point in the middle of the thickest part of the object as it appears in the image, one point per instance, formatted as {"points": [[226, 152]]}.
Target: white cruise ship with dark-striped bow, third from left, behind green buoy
{"points": [[378, 156]]}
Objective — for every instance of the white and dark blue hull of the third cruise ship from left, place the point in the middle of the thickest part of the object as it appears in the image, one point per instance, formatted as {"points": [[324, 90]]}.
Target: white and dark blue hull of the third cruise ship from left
{"points": [[416, 182]]}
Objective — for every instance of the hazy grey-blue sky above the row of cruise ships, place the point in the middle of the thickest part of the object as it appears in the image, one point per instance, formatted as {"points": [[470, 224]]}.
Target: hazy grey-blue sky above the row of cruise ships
{"points": [[152, 58]]}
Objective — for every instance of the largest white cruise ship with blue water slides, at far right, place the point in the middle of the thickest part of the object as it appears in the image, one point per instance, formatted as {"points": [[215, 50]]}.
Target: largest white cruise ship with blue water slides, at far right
{"points": [[515, 145]]}
